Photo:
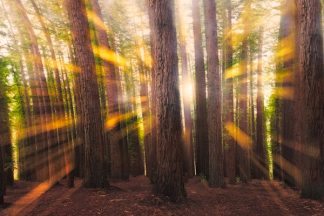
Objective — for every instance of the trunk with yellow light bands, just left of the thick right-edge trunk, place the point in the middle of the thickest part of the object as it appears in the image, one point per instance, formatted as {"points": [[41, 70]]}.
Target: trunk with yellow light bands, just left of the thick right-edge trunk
{"points": [[286, 105]]}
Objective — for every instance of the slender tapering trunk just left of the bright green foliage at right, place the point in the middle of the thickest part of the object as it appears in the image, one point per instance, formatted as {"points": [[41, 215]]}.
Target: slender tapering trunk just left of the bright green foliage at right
{"points": [[260, 149]]}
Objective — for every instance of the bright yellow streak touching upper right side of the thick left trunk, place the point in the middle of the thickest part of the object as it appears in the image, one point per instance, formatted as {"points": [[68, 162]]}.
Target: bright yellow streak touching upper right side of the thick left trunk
{"points": [[109, 55]]}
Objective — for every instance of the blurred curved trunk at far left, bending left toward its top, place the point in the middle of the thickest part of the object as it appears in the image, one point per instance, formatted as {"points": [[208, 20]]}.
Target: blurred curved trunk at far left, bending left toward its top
{"points": [[41, 102]]}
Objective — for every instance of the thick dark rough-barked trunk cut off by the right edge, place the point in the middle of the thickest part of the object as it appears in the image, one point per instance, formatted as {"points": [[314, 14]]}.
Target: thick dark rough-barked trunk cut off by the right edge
{"points": [[309, 87]]}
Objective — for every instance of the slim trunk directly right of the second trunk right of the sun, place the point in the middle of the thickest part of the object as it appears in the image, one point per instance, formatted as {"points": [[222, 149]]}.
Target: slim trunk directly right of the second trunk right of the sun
{"points": [[228, 97]]}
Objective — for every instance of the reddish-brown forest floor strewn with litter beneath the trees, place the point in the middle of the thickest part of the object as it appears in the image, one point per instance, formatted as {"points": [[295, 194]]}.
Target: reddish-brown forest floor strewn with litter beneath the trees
{"points": [[135, 198]]}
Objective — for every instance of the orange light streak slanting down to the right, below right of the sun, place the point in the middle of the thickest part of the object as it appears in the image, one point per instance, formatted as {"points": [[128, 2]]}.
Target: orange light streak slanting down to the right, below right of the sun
{"points": [[240, 136]]}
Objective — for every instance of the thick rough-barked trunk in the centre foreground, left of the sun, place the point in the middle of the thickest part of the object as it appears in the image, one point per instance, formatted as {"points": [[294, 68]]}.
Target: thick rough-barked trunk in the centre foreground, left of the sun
{"points": [[169, 176]]}
